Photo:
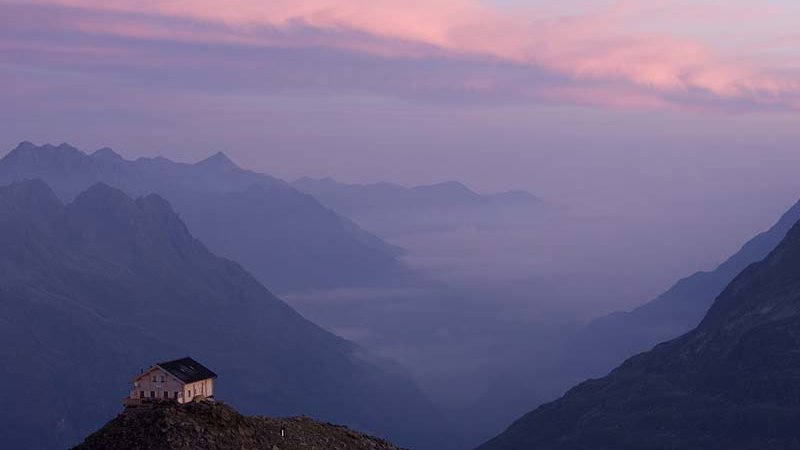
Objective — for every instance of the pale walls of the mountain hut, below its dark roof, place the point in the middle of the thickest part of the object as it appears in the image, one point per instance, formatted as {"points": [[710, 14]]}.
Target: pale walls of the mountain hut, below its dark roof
{"points": [[155, 383]]}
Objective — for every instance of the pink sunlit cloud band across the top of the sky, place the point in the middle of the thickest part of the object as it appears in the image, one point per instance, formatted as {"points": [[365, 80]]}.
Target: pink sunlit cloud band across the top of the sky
{"points": [[605, 45]]}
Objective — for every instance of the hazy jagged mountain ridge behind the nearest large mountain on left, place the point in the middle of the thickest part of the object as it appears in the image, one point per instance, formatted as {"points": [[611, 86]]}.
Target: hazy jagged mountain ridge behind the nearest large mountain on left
{"points": [[286, 238]]}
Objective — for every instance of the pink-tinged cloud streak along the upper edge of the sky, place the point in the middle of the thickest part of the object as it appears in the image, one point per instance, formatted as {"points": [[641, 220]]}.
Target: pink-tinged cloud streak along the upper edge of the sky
{"points": [[603, 54]]}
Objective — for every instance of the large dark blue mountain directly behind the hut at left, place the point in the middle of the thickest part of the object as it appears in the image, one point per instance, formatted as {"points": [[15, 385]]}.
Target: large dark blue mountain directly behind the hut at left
{"points": [[93, 291]]}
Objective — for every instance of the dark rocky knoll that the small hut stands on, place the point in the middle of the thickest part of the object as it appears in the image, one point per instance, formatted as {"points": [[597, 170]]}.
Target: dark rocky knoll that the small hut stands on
{"points": [[216, 426]]}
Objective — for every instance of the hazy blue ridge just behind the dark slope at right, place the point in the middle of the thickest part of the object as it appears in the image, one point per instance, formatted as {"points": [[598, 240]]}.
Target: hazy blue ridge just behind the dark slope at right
{"points": [[609, 340]]}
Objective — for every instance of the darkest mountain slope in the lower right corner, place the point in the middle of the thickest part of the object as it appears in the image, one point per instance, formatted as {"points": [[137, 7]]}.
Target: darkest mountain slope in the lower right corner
{"points": [[731, 383]]}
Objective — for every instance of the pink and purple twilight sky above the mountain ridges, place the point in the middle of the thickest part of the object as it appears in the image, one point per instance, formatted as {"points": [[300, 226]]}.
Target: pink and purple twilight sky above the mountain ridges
{"points": [[666, 121]]}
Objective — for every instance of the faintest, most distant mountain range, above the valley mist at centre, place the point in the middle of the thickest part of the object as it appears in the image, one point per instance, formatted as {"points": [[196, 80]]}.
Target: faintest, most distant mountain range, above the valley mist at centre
{"points": [[390, 209]]}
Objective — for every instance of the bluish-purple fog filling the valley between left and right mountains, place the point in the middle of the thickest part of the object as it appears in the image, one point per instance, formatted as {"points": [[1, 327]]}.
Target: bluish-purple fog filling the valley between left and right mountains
{"points": [[497, 297]]}
